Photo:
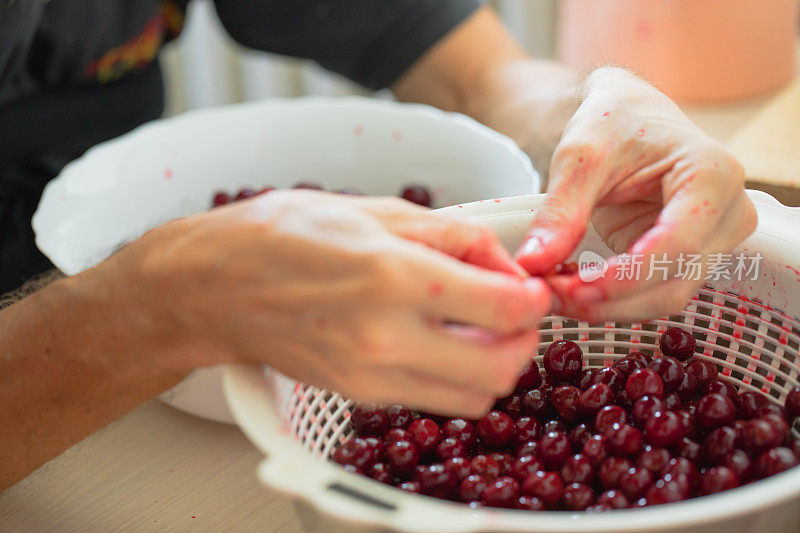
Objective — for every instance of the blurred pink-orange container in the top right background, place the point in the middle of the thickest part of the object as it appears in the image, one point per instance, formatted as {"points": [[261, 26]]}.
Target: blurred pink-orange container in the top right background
{"points": [[693, 50]]}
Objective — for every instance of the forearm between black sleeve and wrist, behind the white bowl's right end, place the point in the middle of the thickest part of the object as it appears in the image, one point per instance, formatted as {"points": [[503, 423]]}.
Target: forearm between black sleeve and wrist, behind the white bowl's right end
{"points": [[480, 70]]}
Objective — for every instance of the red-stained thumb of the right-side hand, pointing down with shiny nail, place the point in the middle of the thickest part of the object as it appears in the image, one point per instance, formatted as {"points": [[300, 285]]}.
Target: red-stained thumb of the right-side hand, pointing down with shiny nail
{"points": [[560, 224]]}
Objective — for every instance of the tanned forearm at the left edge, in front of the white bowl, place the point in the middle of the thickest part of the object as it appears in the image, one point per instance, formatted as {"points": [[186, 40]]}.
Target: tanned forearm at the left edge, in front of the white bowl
{"points": [[69, 365]]}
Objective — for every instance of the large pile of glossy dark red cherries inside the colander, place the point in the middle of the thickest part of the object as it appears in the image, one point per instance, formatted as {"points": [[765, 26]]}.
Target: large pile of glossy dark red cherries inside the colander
{"points": [[643, 431]]}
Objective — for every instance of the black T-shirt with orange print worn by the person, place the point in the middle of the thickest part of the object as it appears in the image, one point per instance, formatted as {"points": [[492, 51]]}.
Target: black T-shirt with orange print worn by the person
{"points": [[77, 72]]}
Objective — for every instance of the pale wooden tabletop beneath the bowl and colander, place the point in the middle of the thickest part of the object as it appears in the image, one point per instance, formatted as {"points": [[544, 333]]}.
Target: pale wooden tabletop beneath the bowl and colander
{"points": [[162, 470]]}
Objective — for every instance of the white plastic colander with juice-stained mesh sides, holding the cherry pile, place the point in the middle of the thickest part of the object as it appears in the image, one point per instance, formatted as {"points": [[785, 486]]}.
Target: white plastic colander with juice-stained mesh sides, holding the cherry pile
{"points": [[750, 329]]}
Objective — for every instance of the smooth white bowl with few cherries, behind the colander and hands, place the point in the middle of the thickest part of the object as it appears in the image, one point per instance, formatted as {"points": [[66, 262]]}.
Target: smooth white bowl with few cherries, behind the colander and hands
{"points": [[171, 168]]}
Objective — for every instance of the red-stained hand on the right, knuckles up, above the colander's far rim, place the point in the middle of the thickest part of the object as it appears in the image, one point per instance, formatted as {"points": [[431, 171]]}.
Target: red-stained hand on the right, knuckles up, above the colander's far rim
{"points": [[651, 182]]}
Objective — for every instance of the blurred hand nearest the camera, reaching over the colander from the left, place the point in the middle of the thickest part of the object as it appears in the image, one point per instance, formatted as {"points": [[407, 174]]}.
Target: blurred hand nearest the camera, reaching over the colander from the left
{"points": [[359, 295]]}
